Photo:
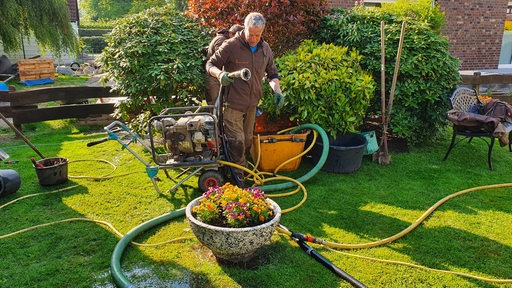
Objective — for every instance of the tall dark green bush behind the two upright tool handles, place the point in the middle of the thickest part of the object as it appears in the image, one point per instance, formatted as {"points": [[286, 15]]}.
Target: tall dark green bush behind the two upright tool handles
{"points": [[427, 76]]}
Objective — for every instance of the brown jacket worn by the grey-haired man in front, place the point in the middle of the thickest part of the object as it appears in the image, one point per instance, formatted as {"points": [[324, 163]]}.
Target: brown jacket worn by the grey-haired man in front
{"points": [[235, 54]]}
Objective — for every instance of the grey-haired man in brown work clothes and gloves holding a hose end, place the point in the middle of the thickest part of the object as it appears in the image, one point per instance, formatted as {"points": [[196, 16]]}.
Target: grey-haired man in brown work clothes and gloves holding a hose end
{"points": [[245, 50]]}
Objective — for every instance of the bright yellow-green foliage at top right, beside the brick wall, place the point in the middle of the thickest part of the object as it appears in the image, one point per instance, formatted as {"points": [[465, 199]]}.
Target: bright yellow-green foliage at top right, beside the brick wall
{"points": [[417, 11]]}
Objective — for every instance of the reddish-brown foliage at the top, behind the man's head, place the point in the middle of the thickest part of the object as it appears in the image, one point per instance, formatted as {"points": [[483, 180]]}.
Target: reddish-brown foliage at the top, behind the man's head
{"points": [[289, 22]]}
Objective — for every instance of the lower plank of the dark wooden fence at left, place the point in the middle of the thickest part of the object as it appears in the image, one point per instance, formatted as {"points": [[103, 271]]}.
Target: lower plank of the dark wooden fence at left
{"points": [[30, 115]]}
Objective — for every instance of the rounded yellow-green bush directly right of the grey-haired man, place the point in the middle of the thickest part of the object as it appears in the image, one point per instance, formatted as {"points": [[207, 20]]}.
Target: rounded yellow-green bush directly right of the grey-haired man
{"points": [[325, 85]]}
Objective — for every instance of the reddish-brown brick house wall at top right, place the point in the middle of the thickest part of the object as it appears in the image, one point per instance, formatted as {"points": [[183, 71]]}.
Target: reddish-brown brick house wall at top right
{"points": [[474, 29]]}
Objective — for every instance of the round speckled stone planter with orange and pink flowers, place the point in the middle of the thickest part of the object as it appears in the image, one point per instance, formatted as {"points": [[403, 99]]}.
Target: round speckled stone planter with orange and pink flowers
{"points": [[233, 222]]}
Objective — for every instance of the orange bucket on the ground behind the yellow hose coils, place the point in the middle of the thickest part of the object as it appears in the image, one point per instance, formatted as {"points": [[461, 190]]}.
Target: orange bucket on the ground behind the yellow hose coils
{"points": [[276, 149]]}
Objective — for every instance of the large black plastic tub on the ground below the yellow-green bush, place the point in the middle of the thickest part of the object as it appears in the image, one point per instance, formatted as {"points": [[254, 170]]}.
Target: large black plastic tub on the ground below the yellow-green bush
{"points": [[345, 153]]}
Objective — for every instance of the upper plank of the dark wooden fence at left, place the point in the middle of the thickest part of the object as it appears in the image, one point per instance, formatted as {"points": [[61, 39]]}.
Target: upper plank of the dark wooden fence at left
{"points": [[42, 95]]}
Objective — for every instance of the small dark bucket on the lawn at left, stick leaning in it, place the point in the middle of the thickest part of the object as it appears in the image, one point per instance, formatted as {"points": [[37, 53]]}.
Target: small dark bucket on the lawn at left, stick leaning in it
{"points": [[55, 171]]}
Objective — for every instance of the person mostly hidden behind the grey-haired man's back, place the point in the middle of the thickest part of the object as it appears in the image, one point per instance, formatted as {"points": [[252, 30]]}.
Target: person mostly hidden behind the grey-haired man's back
{"points": [[212, 85]]}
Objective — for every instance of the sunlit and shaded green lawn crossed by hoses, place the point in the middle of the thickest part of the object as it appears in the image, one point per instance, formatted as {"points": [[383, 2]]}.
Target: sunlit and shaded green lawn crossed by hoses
{"points": [[469, 234]]}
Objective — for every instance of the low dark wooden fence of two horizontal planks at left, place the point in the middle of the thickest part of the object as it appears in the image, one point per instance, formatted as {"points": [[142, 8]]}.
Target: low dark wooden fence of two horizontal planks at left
{"points": [[24, 106]]}
